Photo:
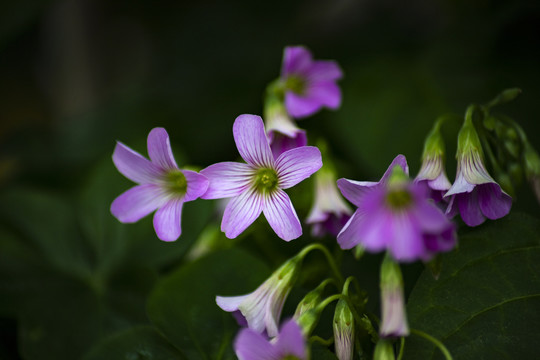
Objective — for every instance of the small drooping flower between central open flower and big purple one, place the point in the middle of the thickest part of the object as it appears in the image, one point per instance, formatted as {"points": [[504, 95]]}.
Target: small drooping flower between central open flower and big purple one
{"points": [[329, 212]]}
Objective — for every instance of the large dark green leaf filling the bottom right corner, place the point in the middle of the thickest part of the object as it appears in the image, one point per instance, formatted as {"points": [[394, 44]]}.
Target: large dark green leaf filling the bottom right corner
{"points": [[486, 302]]}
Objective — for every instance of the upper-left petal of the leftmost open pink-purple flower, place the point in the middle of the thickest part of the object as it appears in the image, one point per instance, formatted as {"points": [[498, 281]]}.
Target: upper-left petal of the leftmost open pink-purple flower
{"points": [[134, 166]]}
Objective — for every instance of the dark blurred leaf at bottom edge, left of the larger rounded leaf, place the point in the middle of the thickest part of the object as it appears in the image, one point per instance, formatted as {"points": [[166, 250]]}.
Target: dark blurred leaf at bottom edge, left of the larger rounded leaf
{"points": [[139, 343]]}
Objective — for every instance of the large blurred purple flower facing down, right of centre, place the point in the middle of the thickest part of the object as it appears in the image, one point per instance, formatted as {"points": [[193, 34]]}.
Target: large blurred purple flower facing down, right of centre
{"points": [[395, 215]]}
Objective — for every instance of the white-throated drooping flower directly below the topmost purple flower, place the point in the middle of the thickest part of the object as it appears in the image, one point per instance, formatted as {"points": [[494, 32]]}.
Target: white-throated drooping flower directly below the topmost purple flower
{"points": [[283, 134]]}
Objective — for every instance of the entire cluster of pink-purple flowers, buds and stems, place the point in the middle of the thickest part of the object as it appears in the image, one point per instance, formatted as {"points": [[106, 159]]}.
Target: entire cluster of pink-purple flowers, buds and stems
{"points": [[408, 220]]}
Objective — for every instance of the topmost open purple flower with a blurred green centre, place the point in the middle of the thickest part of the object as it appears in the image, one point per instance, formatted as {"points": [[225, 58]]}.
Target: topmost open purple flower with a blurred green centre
{"points": [[309, 84]]}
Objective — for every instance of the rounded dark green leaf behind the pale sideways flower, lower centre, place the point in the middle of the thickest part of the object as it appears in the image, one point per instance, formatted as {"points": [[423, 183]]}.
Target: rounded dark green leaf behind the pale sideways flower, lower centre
{"points": [[183, 305]]}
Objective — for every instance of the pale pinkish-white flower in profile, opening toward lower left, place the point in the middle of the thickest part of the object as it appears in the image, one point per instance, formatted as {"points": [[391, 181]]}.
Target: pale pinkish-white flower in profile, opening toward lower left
{"points": [[261, 309]]}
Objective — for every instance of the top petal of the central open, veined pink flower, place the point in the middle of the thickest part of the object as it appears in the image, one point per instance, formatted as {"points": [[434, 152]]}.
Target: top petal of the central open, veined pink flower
{"points": [[251, 141]]}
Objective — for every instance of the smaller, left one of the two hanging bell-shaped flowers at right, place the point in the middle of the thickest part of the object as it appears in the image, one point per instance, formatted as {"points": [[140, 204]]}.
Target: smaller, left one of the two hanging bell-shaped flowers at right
{"points": [[432, 173]]}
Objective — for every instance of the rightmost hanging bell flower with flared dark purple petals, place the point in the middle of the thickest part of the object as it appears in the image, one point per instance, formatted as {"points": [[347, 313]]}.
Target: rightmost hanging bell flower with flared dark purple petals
{"points": [[475, 195]]}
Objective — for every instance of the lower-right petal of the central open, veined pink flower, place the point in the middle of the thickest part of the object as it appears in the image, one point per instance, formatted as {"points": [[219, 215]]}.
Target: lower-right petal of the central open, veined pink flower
{"points": [[281, 215]]}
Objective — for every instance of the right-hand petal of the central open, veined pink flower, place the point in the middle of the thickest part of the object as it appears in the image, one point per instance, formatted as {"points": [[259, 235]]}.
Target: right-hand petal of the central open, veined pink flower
{"points": [[297, 164]]}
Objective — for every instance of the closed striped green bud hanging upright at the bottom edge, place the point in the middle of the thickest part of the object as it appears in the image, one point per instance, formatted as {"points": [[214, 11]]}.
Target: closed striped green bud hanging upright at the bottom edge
{"points": [[343, 331]]}
